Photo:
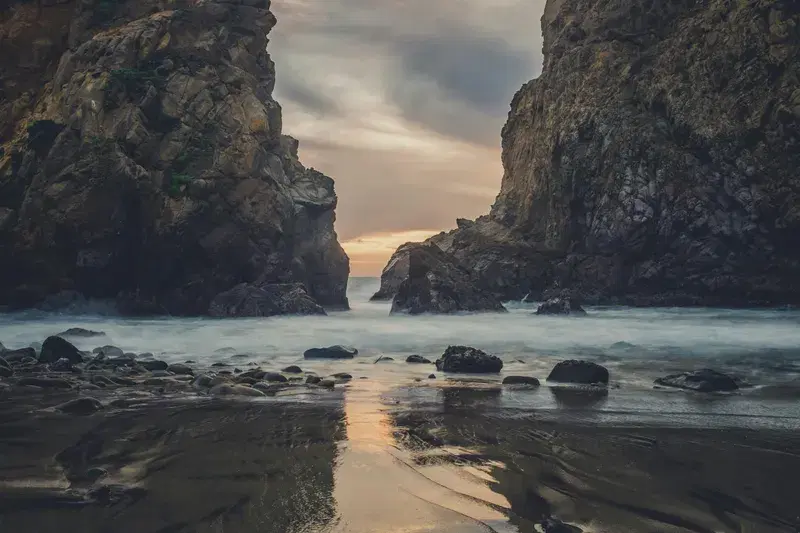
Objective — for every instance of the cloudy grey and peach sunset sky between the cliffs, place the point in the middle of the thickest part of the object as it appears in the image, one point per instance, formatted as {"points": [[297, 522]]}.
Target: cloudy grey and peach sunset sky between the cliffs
{"points": [[402, 103]]}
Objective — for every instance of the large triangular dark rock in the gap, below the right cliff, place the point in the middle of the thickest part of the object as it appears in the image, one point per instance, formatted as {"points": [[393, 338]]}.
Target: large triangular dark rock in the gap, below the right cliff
{"points": [[436, 283]]}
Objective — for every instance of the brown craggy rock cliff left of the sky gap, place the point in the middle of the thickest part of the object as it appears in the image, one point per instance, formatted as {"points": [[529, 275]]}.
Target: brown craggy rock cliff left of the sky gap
{"points": [[143, 159]]}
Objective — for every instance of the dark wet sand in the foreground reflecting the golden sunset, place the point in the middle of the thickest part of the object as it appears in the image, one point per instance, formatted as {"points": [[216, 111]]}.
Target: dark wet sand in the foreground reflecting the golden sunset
{"points": [[373, 457]]}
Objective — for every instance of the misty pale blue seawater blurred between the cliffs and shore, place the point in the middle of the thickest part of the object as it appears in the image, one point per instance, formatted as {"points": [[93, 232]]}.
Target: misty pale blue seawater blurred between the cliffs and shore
{"points": [[637, 345]]}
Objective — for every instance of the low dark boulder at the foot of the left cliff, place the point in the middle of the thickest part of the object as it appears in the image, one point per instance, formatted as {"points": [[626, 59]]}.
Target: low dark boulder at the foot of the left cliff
{"points": [[265, 300]]}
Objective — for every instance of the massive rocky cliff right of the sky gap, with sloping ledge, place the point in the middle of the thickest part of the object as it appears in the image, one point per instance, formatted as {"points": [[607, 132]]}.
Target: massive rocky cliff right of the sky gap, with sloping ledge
{"points": [[655, 161]]}
